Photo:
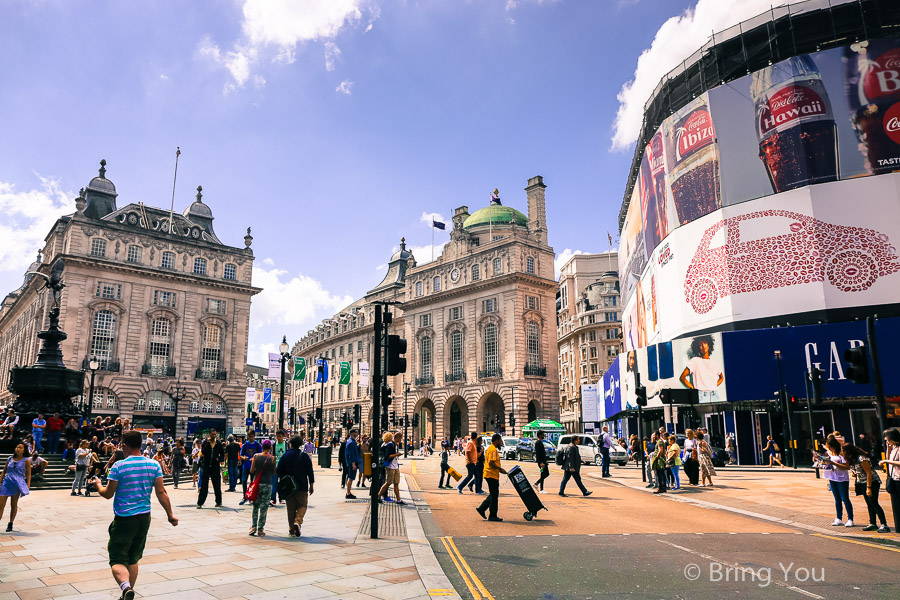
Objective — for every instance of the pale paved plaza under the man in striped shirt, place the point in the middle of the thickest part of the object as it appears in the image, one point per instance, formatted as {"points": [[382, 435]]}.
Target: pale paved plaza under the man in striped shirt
{"points": [[59, 550]]}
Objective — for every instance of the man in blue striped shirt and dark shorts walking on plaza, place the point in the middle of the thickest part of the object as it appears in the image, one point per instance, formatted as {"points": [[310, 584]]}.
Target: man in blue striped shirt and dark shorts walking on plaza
{"points": [[130, 481]]}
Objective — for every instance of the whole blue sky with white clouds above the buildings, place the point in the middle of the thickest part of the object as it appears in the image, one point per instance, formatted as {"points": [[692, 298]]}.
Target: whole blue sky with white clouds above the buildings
{"points": [[332, 127]]}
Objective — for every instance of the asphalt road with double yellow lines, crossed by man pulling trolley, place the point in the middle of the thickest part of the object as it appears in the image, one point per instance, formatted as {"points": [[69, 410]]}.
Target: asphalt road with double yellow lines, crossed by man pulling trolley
{"points": [[624, 543]]}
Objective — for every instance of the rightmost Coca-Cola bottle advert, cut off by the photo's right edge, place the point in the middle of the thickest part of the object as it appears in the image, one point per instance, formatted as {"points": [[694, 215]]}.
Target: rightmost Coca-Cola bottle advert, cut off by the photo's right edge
{"points": [[872, 74]]}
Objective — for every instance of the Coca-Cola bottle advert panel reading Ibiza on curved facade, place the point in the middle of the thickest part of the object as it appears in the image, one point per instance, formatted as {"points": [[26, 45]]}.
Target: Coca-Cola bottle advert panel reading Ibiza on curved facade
{"points": [[693, 161]]}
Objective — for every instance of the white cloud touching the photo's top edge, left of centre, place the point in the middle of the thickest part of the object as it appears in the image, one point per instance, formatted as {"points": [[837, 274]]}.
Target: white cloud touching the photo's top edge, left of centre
{"points": [[275, 28]]}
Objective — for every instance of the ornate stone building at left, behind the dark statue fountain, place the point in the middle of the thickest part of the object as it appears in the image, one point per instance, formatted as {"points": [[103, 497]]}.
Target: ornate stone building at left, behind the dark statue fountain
{"points": [[156, 298]]}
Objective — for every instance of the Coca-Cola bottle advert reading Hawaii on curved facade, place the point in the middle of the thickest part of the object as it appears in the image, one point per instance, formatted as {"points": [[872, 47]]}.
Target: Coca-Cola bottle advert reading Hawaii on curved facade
{"points": [[794, 124]]}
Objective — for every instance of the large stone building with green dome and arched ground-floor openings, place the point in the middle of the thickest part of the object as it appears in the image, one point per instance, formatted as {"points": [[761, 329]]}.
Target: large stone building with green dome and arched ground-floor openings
{"points": [[479, 321]]}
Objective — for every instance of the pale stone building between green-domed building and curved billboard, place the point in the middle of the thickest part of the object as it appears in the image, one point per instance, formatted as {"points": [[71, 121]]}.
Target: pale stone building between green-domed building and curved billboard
{"points": [[589, 328]]}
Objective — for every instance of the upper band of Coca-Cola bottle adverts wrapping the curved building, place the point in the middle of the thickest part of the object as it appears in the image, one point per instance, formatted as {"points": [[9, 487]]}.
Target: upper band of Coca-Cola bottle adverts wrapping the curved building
{"points": [[805, 121]]}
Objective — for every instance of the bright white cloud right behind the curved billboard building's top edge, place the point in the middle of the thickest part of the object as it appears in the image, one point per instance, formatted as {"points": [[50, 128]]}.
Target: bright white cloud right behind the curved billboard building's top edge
{"points": [[676, 39]]}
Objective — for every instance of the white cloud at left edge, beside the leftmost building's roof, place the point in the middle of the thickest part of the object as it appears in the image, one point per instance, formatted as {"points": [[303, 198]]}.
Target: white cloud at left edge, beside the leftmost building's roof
{"points": [[27, 218]]}
